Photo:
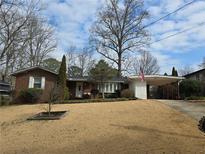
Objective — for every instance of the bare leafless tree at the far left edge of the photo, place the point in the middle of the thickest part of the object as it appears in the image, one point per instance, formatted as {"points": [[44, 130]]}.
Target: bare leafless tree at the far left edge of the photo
{"points": [[13, 17]]}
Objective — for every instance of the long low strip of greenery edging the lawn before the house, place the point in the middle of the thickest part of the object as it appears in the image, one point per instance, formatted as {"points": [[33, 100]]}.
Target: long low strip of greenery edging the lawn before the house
{"points": [[94, 100]]}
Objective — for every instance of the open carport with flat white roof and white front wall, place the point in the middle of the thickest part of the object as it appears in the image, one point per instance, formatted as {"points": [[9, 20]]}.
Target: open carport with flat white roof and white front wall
{"points": [[167, 86]]}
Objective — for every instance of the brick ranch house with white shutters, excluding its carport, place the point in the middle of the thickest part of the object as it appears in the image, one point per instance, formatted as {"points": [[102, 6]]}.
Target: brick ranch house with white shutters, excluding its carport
{"points": [[79, 87]]}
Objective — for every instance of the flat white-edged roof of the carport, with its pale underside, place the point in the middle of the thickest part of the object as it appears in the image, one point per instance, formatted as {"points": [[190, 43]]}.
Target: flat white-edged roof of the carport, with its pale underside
{"points": [[157, 79]]}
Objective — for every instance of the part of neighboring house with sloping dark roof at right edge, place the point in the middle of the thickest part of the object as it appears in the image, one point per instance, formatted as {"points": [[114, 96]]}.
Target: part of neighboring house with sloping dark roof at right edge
{"points": [[197, 75]]}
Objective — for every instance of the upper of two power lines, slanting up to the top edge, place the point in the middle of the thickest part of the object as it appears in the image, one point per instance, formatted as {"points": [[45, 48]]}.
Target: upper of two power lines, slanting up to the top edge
{"points": [[180, 8]]}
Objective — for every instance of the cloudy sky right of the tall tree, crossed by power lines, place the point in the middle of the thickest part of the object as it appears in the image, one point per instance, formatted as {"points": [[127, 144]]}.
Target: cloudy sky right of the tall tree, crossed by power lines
{"points": [[180, 44]]}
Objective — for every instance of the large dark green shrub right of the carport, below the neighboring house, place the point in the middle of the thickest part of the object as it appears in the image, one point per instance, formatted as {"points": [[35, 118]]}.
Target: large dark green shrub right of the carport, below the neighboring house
{"points": [[189, 88]]}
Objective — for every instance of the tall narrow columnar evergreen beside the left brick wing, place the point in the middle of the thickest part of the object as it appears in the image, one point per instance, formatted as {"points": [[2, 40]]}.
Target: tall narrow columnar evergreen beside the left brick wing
{"points": [[61, 80]]}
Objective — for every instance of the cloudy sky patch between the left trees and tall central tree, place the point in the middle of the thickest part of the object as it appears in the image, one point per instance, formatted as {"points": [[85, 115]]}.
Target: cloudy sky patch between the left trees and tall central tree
{"points": [[72, 20]]}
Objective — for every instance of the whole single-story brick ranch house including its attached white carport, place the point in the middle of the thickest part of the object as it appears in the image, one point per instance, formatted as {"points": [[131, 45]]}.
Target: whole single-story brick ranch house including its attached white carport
{"points": [[39, 77]]}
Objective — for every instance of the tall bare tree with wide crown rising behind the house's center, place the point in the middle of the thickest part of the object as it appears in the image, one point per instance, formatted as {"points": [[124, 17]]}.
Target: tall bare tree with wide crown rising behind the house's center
{"points": [[119, 29]]}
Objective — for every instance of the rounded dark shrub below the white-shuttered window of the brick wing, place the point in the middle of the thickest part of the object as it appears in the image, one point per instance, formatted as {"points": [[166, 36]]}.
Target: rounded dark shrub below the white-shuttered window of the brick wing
{"points": [[30, 95]]}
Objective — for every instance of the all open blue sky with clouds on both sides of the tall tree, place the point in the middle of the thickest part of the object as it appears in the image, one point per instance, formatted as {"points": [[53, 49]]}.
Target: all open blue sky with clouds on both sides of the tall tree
{"points": [[72, 19]]}
